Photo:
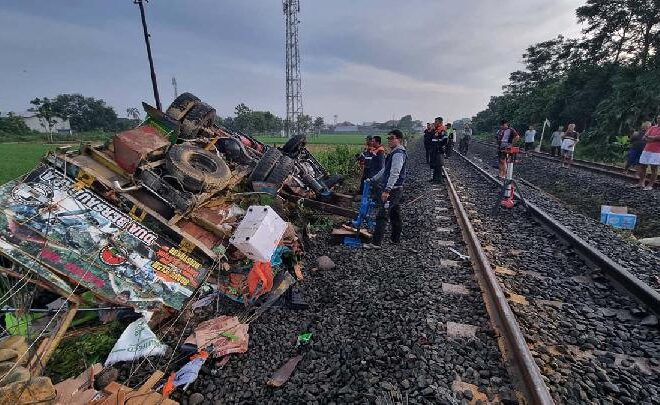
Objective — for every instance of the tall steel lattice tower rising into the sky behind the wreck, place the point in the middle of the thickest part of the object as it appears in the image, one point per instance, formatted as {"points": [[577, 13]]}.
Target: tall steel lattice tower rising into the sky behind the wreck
{"points": [[293, 82]]}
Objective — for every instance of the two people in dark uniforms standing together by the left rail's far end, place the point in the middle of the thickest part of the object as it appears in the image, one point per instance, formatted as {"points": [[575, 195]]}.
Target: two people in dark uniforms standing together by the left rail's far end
{"points": [[439, 141]]}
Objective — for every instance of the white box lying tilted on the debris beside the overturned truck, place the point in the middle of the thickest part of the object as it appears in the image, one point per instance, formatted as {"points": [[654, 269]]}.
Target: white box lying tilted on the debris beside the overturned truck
{"points": [[259, 233]]}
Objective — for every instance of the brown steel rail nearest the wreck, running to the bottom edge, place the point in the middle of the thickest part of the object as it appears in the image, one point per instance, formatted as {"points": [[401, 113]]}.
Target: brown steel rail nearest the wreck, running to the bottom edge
{"points": [[531, 381]]}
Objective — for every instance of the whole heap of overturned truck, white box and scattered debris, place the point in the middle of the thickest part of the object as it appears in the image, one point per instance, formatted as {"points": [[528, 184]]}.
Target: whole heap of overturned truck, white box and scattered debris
{"points": [[174, 215]]}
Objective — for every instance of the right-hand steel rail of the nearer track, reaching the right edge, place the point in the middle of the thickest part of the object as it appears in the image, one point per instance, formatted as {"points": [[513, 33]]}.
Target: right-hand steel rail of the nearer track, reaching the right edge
{"points": [[634, 286]]}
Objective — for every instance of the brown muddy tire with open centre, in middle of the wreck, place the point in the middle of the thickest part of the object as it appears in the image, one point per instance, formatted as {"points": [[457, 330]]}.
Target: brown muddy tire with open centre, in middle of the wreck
{"points": [[197, 169]]}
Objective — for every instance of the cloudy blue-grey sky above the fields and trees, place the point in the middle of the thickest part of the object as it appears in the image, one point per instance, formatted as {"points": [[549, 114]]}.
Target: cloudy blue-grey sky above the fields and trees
{"points": [[363, 60]]}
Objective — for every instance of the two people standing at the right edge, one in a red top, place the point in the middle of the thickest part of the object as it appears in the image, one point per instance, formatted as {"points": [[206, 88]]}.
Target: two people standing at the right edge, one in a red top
{"points": [[644, 153]]}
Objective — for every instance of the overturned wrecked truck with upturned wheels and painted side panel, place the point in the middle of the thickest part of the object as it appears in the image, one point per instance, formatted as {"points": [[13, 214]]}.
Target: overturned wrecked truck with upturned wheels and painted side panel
{"points": [[141, 220]]}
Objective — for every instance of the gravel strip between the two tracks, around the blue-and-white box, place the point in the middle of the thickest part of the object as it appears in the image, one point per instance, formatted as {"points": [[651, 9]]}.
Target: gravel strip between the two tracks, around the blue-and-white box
{"points": [[574, 197]]}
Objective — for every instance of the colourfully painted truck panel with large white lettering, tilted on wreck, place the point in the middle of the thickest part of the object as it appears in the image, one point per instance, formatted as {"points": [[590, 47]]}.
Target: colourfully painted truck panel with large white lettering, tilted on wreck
{"points": [[59, 228]]}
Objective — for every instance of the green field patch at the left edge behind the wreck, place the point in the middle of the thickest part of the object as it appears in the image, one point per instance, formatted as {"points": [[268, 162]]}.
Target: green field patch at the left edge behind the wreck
{"points": [[17, 159]]}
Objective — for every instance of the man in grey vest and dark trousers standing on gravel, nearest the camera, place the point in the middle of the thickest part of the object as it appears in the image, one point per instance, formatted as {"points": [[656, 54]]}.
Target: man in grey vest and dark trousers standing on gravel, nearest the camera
{"points": [[390, 179]]}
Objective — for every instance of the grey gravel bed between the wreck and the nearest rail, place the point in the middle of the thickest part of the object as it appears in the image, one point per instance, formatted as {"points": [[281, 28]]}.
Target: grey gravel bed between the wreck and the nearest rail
{"points": [[379, 324]]}
